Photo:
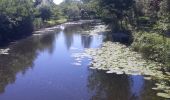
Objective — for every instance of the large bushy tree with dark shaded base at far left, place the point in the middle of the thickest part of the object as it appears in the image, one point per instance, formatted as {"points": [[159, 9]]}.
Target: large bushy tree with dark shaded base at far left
{"points": [[15, 18]]}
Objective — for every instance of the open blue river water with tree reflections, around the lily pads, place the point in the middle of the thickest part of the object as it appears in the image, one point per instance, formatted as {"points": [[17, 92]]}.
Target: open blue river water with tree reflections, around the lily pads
{"points": [[41, 68]]}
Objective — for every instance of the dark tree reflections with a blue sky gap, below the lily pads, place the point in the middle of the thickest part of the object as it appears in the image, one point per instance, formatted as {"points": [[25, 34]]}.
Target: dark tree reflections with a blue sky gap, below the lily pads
{"points": [[103, 86]]}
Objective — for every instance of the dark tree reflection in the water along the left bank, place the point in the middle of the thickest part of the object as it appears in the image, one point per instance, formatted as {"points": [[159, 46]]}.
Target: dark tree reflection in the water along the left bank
{"points": [[22, 56]]}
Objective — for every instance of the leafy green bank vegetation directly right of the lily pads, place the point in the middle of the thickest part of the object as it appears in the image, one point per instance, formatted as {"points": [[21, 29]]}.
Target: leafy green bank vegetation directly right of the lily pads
{"points": [[153, 46]]}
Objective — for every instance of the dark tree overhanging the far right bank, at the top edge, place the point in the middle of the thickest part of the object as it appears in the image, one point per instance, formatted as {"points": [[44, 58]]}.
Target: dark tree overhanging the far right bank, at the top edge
{"points": [[118, 10]]}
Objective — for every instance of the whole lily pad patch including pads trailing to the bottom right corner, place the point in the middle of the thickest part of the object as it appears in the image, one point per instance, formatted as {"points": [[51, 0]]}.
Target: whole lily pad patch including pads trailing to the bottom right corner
{"points": [[120, 59]]}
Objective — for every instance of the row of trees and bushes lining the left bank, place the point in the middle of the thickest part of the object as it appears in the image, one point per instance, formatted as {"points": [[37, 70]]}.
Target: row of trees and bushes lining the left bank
{"points": [[19, 18]]}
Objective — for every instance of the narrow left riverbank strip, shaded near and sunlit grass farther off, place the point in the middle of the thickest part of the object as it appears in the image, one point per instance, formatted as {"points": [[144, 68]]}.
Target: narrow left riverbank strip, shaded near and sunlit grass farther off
{"points": [[39, 25]]}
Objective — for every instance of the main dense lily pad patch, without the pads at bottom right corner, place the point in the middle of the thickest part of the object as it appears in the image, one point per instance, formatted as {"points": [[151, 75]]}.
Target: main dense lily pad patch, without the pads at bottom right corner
{"points": [[118, 58]]}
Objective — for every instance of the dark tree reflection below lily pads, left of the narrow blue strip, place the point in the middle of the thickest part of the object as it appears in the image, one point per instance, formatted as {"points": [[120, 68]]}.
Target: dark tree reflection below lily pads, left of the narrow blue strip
{"points": [[104, 86]]}
